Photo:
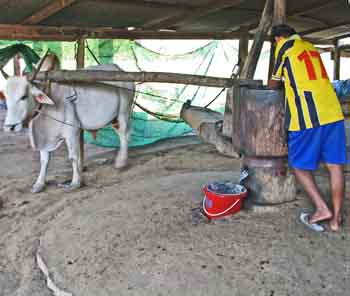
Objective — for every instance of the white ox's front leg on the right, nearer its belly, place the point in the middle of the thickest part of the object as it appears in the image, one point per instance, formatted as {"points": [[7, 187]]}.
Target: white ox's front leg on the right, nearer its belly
{"points": [[74, 156]]}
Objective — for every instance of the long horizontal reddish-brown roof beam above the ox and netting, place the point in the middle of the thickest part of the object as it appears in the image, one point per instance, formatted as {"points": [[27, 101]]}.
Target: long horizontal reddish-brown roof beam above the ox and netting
{"points": [[70, 33]]}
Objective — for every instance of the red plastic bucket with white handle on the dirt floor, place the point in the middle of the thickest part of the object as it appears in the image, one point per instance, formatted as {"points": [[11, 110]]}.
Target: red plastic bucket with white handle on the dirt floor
{"points": [[216, 205]]}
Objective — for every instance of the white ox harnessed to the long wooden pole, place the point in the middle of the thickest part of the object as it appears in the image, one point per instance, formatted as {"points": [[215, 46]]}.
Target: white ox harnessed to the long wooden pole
{"points": [[64, 109]]}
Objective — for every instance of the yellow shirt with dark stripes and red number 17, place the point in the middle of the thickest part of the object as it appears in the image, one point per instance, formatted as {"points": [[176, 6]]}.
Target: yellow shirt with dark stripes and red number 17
{"points": [[311, 98]]}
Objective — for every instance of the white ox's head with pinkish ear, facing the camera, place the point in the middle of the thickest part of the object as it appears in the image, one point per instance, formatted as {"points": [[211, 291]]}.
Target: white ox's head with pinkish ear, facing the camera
{"points": [[22, 98]]}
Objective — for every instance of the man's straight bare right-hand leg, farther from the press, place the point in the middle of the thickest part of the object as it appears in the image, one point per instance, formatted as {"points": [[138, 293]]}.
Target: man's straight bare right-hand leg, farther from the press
{"points": [[337, 188]]}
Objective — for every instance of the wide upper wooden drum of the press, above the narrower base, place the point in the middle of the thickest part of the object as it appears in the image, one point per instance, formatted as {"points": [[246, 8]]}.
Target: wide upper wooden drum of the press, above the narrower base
{"points": [[258, 122]]}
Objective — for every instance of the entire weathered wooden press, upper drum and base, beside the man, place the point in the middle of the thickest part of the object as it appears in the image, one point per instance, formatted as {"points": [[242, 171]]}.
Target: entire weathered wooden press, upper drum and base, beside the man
{"points": [[259, 136]]}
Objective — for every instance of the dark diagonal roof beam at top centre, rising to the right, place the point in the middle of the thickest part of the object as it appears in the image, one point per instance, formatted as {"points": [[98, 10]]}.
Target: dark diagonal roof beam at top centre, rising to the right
{"points": [[181, 18]]}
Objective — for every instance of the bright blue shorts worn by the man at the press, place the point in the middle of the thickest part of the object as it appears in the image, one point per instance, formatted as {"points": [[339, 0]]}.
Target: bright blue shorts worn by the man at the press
{"points": [[326, 143]]}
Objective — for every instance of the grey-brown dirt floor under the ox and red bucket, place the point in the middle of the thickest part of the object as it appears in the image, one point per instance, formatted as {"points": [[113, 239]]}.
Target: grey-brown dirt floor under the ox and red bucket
{"points": [[140, 231]]}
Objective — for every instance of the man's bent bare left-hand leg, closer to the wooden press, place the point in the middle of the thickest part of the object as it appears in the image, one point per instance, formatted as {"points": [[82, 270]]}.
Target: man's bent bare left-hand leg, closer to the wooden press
{"points": [[306, 179]]}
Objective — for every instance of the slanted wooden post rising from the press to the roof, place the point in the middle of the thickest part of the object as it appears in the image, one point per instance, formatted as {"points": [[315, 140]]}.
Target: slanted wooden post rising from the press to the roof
{"points": [[254, 53]]}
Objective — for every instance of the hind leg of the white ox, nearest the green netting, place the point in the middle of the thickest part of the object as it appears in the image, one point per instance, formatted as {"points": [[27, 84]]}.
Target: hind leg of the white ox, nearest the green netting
{"points": [[121, 128]]}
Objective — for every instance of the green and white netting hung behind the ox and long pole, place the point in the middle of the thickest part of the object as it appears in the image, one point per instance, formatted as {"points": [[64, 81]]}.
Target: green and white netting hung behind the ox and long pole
{"points": [[212, 58]]}
